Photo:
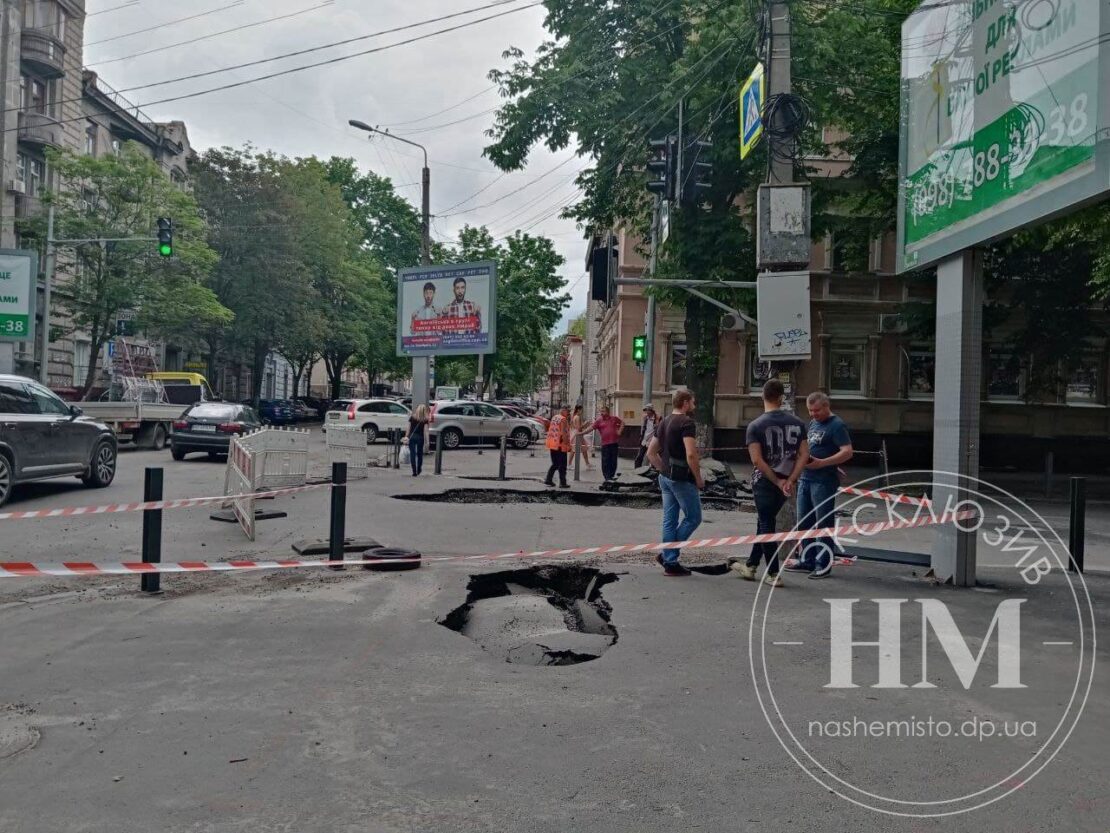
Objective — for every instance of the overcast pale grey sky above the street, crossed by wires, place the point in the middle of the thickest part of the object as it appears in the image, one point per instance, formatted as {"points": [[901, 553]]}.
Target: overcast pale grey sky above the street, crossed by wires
{"points": [[416, 91]]}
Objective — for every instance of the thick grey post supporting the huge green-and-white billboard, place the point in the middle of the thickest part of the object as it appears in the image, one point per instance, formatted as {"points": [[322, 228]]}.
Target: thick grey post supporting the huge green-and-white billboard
{"points": [[956, 408]]}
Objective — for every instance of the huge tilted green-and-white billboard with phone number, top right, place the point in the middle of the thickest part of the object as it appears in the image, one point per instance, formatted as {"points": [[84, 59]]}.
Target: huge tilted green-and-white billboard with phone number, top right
{"points": [[1004, 118]]}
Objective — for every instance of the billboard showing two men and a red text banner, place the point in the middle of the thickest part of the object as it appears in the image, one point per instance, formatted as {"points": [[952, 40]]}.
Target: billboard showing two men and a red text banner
{"points": [[450, 310]]}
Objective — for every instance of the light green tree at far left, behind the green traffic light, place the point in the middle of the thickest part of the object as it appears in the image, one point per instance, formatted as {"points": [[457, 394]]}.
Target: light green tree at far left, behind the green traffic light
{"points": [[122, 197]]}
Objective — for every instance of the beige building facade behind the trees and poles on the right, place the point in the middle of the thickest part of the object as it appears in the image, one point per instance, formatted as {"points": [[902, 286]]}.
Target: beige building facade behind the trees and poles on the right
{"points": [[880, 377]]}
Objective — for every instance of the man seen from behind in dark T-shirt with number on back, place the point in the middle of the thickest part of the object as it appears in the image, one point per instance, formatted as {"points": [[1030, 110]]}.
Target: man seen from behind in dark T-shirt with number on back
{"points": [[780, 453]]}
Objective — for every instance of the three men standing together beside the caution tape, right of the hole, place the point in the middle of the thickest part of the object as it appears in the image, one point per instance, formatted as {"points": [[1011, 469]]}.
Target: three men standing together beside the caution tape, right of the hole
{"points": [[791, 460]]}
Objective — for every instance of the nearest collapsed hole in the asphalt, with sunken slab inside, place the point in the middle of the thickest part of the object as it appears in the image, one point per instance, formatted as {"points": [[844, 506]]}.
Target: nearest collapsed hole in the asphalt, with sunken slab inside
{"points": [[542, 616]]}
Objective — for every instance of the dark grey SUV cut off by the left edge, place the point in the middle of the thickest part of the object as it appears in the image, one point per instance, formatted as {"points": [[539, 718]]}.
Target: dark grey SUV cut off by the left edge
{"points": [[42, 437]]}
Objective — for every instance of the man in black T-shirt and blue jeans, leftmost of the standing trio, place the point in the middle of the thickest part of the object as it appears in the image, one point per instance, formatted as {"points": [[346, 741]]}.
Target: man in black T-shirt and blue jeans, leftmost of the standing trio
{"points": [[673, 451]]}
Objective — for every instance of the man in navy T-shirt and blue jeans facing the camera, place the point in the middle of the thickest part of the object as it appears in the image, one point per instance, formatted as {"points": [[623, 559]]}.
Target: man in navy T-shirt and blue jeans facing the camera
{"points": [[830, 447]]}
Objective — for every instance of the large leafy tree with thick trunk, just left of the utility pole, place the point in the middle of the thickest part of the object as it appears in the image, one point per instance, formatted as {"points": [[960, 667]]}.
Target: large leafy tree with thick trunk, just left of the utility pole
{"points": [[647, 58]]}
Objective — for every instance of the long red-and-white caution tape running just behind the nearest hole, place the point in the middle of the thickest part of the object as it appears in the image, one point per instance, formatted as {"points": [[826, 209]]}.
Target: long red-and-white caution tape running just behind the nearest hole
{"points": [[84, 569]]}
